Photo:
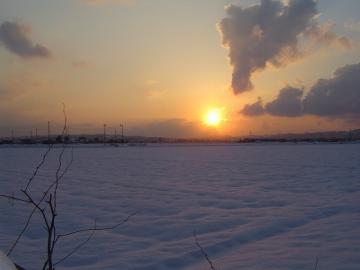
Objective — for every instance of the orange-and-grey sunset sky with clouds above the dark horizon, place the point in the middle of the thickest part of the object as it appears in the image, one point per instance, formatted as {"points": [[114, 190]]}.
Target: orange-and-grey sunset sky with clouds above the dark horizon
{"points": [[159, 66]]}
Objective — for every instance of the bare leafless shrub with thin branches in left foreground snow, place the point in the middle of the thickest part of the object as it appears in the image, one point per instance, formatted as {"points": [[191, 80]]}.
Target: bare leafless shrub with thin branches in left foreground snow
{"points": [[46, 207]]}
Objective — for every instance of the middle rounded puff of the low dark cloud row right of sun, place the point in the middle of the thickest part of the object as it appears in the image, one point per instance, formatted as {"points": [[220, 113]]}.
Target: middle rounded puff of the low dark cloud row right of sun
{"points": [[288, 103]]}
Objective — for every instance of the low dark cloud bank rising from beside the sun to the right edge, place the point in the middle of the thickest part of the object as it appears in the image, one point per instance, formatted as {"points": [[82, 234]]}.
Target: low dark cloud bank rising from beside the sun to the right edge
{"points": [[338, 96]]}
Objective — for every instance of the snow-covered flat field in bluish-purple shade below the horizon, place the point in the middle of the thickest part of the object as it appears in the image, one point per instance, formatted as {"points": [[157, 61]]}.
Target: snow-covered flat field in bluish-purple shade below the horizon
{"points": [[253, 206]]}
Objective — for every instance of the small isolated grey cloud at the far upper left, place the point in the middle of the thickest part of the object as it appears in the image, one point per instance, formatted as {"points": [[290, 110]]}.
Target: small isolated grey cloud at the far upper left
{"points": [[16, 38]]}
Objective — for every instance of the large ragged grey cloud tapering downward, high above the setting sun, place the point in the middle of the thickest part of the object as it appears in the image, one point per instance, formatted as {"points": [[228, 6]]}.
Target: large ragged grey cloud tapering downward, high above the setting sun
{"points": [[269, 33]]}
